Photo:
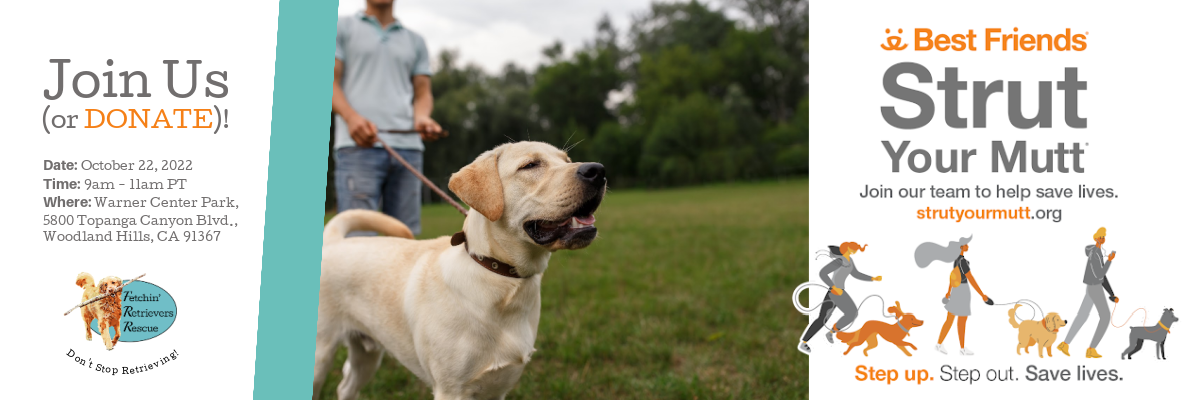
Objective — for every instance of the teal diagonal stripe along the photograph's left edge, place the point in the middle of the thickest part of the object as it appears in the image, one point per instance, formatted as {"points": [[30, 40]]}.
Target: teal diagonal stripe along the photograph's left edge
{"points": [[296, 199]]}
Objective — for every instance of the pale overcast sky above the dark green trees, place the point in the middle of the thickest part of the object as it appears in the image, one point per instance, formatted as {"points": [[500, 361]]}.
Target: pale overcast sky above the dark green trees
{"points": [[491, 33]]}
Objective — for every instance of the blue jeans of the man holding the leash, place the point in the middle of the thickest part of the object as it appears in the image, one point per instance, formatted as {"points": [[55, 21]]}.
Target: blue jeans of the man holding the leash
{"points": [[369, 178]]}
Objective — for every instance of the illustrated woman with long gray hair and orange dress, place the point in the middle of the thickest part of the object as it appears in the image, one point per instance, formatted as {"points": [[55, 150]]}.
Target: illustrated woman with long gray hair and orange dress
{"points": [[958, 296]]}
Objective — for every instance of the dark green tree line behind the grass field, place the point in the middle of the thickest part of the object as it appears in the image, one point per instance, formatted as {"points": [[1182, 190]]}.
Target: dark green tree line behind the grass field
{"points": [[694, 93]]}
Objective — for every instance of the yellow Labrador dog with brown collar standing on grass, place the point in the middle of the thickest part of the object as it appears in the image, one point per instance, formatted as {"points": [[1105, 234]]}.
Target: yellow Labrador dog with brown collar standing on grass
{"points": [[460, 313]]}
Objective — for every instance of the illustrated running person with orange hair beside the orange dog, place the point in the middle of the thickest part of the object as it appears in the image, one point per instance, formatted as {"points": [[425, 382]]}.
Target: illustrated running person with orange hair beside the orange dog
{"points": [[835, 276]]}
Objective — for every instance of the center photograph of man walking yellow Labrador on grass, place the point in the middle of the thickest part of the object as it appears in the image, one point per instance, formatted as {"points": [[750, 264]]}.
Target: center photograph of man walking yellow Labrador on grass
{"points": [[634, 201]]}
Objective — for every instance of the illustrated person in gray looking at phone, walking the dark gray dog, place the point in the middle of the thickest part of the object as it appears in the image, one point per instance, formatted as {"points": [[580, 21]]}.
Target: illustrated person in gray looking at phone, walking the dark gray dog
{"points": [[1097, 280]]}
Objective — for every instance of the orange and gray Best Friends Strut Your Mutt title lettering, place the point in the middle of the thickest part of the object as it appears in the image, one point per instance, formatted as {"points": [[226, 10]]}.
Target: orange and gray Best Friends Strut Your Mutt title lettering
{"points": [[1017, 157]]}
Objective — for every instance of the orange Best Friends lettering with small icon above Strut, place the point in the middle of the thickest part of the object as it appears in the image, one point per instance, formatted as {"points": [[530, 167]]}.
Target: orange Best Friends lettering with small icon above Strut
{"points": [[925, 40]]}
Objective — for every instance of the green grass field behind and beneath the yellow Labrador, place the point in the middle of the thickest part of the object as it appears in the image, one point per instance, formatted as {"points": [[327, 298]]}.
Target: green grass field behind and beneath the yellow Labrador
{"points": [[686, 295]]}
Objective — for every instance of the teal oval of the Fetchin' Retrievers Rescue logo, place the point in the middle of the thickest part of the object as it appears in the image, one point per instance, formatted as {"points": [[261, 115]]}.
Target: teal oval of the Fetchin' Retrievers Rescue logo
{"points": [[147, 312]]}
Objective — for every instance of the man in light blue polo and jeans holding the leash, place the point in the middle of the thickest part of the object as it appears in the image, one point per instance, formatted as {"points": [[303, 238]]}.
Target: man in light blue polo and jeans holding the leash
{"points": [[381, 82]]}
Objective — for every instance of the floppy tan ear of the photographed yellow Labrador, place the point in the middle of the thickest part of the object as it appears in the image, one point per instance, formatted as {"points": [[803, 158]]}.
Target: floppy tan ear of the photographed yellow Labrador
{"points": [[479, 186]]}
